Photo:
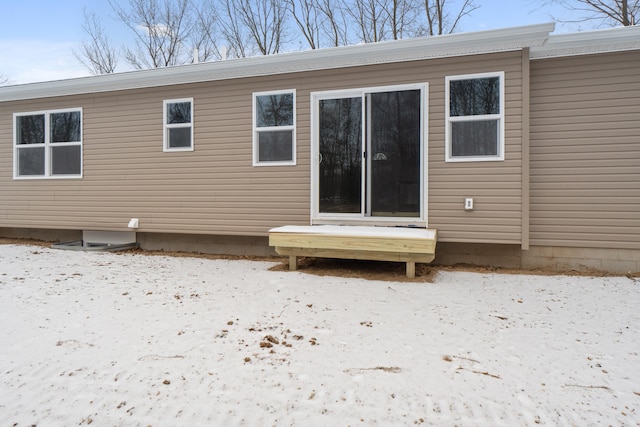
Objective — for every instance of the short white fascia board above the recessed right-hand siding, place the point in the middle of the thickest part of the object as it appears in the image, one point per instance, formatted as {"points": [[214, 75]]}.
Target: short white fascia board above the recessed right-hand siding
{"points": [[589, 42]]}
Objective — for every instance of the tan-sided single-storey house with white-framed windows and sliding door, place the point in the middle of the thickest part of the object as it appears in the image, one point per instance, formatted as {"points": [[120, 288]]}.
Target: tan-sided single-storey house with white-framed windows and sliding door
{"points": [[521, 148]]}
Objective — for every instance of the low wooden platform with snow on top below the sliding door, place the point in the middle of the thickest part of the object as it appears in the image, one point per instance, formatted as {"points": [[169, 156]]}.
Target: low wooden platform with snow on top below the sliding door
{"points": [[399, 244]]}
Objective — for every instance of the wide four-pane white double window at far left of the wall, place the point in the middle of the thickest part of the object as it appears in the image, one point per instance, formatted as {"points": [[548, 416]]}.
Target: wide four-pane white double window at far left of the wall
{"points": [[48, 144]]}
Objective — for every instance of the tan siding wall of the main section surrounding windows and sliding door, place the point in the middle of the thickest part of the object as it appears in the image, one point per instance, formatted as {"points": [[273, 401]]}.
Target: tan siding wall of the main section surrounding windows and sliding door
{"points": [[215, 189]]}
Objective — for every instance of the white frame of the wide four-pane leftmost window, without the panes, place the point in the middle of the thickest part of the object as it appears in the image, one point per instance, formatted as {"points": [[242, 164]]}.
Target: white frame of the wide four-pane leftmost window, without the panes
{"points": [[47, 145]]}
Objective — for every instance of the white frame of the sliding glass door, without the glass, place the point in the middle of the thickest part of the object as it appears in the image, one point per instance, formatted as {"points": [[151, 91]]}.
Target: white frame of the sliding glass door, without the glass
{"points": [[361, 217]]}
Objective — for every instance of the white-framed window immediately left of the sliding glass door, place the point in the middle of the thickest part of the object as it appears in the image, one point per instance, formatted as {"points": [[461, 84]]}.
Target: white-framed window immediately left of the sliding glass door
{"points": [[274, 128]]}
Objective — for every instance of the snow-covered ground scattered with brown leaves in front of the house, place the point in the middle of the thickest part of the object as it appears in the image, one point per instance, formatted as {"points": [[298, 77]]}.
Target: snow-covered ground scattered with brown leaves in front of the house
{"points": [[132, 339]]}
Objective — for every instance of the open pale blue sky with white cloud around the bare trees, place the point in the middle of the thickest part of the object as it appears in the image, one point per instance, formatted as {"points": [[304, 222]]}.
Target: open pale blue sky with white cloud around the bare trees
{"points": [[37, 37]]}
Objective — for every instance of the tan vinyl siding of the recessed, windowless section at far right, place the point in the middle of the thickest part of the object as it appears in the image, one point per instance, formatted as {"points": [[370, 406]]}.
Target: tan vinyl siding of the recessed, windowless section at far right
{"points": [[585, 151]]}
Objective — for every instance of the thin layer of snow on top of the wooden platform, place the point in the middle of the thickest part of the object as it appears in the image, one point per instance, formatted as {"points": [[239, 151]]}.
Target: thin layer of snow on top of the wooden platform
{"points": [[351, 230]]}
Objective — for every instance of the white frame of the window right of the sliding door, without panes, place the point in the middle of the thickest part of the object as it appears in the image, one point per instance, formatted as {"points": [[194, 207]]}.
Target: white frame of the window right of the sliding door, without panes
{"points": [[449, 120]]}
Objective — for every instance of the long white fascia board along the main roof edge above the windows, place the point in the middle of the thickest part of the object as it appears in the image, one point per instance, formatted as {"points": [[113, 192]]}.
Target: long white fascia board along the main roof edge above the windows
{"points": [[449, 45]]}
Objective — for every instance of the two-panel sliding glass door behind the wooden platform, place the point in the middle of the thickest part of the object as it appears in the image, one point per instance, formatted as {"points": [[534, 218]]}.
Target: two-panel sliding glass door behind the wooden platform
{"points": [[369, 146]]}
